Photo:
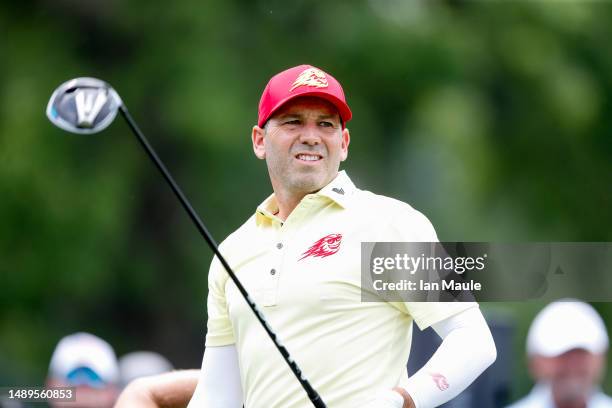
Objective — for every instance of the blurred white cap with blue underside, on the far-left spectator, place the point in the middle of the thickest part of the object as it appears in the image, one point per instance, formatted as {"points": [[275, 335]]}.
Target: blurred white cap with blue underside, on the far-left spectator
{"points": [[85, 356]]}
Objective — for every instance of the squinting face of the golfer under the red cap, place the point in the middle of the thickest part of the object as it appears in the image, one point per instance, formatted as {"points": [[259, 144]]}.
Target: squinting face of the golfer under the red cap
{"points": [[304, 144]]}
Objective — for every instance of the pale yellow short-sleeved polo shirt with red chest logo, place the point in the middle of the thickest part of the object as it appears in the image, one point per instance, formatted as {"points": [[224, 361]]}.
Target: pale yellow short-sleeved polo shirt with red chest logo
{"points": [[305, 276]]}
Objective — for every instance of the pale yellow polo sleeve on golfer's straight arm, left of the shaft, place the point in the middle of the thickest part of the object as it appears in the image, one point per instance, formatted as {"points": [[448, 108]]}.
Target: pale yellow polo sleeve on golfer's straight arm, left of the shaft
{"points": [[220, 332]]}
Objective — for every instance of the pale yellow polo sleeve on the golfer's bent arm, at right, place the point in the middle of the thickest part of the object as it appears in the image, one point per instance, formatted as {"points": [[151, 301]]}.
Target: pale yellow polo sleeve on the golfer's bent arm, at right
{"points": [[409, 225]]}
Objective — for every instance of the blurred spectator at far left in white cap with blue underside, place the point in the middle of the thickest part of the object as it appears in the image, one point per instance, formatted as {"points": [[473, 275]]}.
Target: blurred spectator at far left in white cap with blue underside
{"points": [[88, 364]]}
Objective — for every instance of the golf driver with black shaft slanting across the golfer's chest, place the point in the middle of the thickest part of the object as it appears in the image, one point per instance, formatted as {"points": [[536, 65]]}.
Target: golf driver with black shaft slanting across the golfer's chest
{"points": [[89, 105]]}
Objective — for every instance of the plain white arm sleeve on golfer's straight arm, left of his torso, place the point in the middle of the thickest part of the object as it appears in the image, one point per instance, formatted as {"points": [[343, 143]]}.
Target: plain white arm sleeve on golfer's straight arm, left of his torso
{"points": [[219, 384]]}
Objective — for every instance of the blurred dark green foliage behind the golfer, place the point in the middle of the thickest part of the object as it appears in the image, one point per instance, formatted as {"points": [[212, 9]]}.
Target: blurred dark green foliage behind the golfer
{"points": [[491, 117]]}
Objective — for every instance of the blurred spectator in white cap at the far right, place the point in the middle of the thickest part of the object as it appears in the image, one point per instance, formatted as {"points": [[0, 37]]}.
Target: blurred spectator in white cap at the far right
{"points": [[566, 345]]}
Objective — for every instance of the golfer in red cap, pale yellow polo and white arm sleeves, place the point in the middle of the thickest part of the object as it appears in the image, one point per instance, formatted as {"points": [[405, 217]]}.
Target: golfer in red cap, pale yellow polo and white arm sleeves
{"points": [[299, 258]]}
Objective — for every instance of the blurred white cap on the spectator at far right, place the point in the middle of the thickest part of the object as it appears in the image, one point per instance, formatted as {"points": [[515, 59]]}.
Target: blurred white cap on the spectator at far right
{"points": [[565, 325]]}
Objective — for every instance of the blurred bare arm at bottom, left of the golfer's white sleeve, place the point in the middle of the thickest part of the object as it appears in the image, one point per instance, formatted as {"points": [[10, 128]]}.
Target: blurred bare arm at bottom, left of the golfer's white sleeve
{"points": [[170, 390]]}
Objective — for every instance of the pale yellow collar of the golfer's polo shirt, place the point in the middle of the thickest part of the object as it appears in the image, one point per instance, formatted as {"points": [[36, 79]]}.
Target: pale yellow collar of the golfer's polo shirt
{"points": [[339, 190]]}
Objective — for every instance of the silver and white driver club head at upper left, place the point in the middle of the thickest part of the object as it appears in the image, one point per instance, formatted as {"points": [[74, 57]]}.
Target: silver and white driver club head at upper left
{"points": [[83, 105]]}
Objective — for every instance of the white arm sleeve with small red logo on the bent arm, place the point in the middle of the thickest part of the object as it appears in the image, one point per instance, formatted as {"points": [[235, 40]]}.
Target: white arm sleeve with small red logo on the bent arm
{"points": [[467, 349]]}
